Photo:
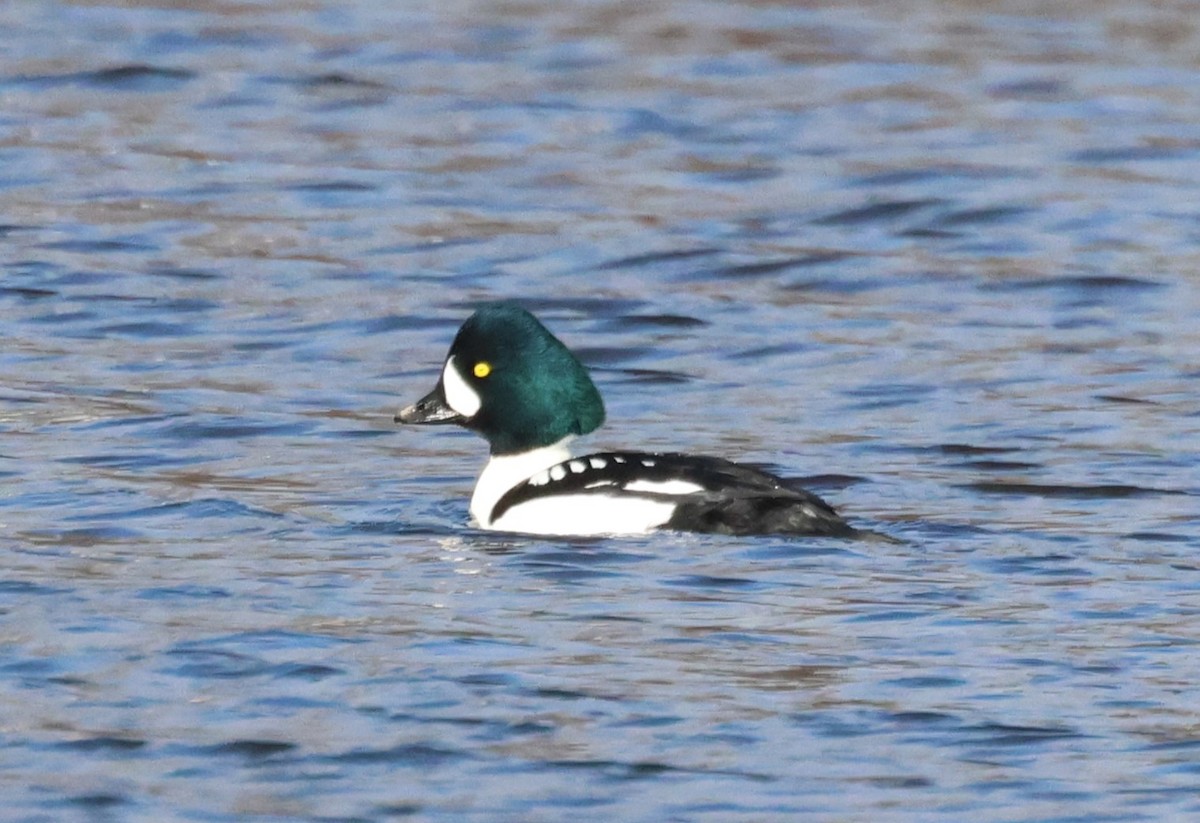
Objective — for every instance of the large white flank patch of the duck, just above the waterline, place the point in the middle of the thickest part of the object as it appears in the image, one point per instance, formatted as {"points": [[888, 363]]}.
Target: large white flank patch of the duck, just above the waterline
{"points": [[585, 515]]}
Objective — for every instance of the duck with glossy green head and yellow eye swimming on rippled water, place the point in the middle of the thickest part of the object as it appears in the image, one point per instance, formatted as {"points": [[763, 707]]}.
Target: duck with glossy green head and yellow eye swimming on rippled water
{"points": [[511, 381]]}
